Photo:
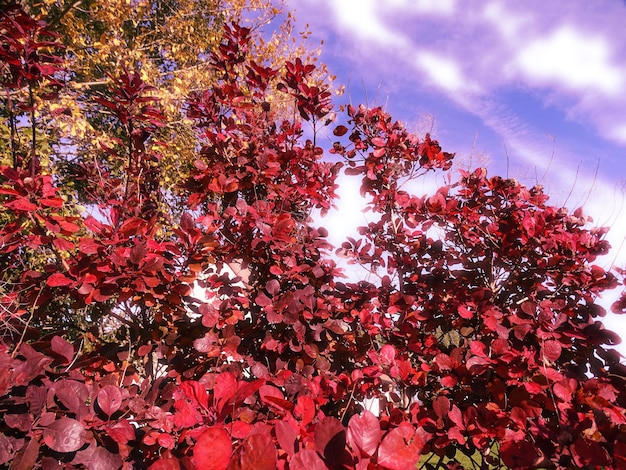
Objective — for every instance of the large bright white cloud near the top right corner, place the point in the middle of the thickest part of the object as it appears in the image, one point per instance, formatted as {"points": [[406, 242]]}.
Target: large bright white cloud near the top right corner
{"points": [[571, 59]]}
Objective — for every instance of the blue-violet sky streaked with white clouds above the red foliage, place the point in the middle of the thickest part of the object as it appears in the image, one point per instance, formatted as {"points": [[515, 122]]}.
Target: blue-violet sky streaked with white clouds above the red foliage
{"points": [[535, 90]]}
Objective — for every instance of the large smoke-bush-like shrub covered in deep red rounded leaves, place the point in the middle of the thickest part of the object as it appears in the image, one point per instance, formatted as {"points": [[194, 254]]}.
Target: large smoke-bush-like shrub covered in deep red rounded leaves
{"points": [[231, 342]]}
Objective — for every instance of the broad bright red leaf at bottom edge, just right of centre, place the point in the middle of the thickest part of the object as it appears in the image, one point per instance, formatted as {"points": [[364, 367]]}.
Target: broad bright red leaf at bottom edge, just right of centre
{"points": [[400, 448]]}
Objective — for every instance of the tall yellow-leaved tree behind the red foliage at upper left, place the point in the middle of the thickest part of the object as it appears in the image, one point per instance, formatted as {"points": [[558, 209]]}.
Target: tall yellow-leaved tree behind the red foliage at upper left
{"points": [[167, 42]]}
